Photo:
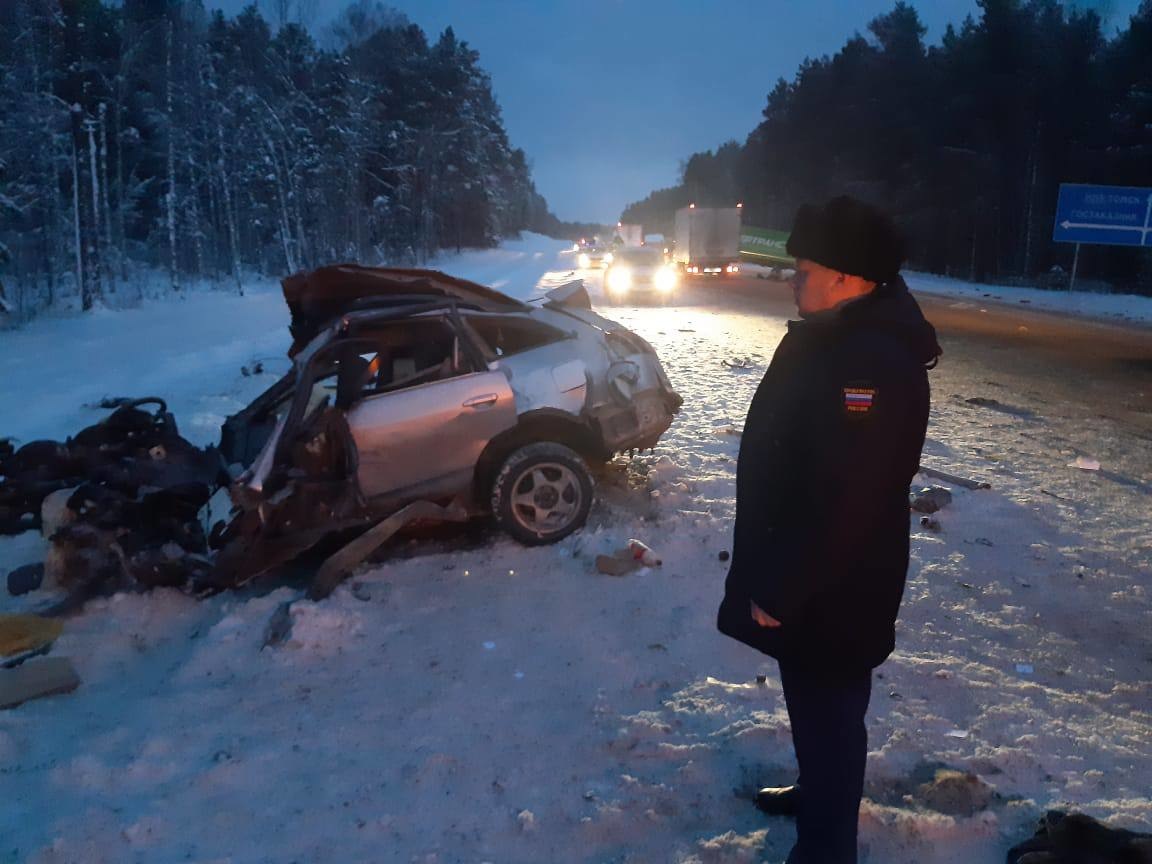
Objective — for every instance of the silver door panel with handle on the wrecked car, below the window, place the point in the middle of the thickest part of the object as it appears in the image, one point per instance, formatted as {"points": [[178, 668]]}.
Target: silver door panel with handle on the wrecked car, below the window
{"points": [[427, 439]]}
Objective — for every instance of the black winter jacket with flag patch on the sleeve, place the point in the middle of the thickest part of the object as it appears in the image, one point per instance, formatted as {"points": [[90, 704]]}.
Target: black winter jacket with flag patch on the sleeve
{"points": [[832, 442]]}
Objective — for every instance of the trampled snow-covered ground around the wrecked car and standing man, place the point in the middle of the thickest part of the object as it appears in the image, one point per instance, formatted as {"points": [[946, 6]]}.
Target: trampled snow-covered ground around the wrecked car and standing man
{"points": [[475, 701]]}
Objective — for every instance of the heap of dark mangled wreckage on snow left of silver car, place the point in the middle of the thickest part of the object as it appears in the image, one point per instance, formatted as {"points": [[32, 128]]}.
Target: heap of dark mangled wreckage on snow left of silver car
{"points": [[119, 503]]}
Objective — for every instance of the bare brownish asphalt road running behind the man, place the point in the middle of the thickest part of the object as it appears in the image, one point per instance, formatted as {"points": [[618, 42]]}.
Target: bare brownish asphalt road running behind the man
{"points": [[1085, 367]]}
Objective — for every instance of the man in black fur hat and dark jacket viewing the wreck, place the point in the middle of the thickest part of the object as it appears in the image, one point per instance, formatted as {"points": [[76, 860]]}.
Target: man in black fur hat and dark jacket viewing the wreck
{"points": [[832, 441]]}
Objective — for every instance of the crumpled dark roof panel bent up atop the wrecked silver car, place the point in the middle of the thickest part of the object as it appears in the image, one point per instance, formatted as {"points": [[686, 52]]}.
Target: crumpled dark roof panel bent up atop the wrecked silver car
{"points": [[319, 297]]}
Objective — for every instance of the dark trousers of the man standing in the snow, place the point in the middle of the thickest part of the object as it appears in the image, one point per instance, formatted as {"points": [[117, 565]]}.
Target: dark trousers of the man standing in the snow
{"points": [[828, 722]]}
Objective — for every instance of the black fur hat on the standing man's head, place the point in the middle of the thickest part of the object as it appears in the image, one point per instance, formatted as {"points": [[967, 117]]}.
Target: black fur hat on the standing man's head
{"points": [[850, 237]]}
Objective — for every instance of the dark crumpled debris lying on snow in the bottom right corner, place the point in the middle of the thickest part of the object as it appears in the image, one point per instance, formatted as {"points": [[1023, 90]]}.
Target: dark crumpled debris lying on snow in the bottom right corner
{"points": [[1074, 839]]}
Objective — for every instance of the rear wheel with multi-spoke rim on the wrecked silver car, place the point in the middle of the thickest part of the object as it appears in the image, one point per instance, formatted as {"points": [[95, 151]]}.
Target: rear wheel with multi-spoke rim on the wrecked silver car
{"points": [[543, 494]]}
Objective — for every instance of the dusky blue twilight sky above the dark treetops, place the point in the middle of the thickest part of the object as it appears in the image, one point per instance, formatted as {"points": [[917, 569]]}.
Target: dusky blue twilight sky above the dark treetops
{"points": [[608, 97]]}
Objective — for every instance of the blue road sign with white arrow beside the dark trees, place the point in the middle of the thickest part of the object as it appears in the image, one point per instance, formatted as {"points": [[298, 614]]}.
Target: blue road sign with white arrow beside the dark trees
{"points": [[1119, 216]]}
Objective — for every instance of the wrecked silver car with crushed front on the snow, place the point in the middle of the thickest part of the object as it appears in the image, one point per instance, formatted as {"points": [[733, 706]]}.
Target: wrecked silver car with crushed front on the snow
{"points": [[411, 385]]}
